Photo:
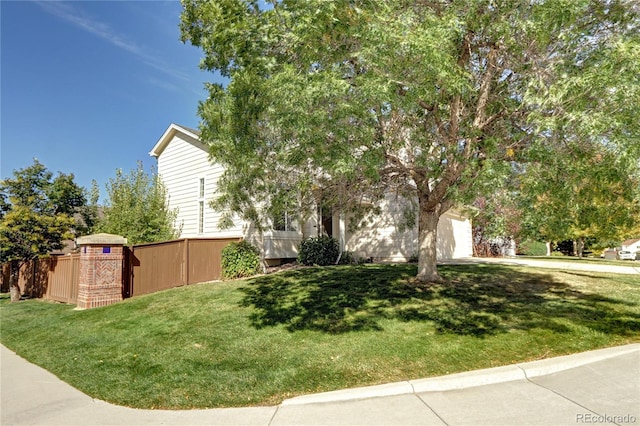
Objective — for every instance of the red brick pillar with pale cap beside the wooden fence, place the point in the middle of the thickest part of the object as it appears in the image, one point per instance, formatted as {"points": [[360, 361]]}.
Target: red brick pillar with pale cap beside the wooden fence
{"points": [[101, 262]]}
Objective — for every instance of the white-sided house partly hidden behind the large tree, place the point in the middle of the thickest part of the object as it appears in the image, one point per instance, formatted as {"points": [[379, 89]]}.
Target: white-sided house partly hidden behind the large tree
{"points": [[190, 179]]}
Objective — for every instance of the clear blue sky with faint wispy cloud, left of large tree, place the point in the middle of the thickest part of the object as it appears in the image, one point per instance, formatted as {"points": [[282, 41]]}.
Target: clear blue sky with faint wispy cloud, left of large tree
{"points": [[90, 86]]}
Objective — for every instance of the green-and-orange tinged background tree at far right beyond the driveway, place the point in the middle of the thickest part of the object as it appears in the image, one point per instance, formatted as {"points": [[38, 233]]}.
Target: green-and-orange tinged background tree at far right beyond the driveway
{"points": [[592, 193]]}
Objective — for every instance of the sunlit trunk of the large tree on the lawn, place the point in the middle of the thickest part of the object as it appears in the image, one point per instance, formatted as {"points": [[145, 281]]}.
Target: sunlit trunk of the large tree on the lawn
{"points": [[427, 240]]}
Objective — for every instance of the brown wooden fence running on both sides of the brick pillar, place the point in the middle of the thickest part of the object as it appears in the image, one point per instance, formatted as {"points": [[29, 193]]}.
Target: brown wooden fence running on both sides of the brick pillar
{"points": [[147, 268]]}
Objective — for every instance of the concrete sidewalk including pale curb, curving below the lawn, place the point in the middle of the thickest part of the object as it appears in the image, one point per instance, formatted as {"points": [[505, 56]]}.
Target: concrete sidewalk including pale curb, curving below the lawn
{"points": [[596, 387]]}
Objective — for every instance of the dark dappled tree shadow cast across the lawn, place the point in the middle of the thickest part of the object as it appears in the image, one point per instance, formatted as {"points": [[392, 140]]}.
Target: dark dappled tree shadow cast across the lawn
{"points": [[476, 300]]}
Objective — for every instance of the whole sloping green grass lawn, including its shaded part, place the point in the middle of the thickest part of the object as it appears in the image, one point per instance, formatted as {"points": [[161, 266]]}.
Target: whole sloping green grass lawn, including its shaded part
{"points": [[259, 341]]}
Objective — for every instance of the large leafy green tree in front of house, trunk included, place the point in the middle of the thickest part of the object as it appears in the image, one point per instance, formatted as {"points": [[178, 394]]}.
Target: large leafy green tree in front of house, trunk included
{"points": [[428, 98]]}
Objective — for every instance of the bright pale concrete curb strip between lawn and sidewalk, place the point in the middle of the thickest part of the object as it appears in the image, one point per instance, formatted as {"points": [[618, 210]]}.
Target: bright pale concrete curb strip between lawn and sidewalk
{"points": [[489, 376]]}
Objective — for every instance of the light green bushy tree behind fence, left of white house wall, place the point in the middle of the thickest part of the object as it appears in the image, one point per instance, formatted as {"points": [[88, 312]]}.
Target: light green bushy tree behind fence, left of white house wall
{"points": [[137, 208]]}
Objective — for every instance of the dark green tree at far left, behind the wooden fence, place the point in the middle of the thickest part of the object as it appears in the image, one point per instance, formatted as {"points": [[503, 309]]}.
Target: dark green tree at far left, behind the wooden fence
{"points": [[37, 216]]}
